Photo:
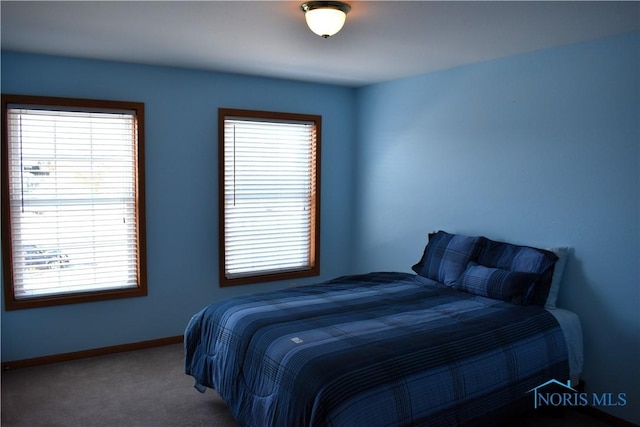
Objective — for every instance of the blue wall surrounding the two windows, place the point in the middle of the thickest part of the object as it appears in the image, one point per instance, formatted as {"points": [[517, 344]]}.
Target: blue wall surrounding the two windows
{"points": [[181, 109]]}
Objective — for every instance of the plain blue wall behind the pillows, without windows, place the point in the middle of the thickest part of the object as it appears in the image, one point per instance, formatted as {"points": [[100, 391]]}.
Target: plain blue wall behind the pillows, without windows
{"points": [[540, 149]]}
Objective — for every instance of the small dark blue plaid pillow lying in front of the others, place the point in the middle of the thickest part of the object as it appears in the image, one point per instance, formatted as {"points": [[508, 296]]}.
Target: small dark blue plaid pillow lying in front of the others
{"points": [[496, 283]]}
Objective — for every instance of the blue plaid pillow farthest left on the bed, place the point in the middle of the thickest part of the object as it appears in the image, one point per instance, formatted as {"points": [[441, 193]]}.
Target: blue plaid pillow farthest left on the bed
{"points": [[446, 256]]}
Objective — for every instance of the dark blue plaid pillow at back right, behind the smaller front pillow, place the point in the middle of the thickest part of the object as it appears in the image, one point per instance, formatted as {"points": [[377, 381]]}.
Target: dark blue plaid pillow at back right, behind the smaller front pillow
{"points": [[524, 259]]}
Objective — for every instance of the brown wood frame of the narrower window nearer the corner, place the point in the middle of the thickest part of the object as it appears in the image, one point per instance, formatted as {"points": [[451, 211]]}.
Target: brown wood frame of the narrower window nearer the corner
{"points": [[258, 275]]}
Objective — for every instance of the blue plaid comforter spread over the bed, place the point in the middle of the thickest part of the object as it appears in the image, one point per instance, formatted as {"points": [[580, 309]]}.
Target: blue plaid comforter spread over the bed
{"points": [[381, 349]]}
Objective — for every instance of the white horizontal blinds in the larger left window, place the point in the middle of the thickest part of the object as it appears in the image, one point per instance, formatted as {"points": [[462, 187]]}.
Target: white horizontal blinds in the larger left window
{"points": [[73, 201]]}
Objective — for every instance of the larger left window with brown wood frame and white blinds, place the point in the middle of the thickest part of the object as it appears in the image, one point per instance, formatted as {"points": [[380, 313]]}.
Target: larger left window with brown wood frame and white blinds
{"points": [[72, 200]]}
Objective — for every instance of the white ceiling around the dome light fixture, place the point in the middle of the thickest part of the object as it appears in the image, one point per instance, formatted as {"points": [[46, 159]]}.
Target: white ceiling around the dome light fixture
{"points": [[381, 40]]}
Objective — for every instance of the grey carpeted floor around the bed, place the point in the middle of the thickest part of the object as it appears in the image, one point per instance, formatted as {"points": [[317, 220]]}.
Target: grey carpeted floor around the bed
{"points": [[145, 388]]}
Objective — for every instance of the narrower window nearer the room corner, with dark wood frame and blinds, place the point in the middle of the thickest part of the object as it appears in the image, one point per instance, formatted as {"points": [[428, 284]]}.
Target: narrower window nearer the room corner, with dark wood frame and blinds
{"points": [[269, 196]]}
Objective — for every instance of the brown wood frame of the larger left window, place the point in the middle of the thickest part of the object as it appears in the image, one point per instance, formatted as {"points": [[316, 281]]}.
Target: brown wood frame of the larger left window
{"points": [[136, 110]]}
